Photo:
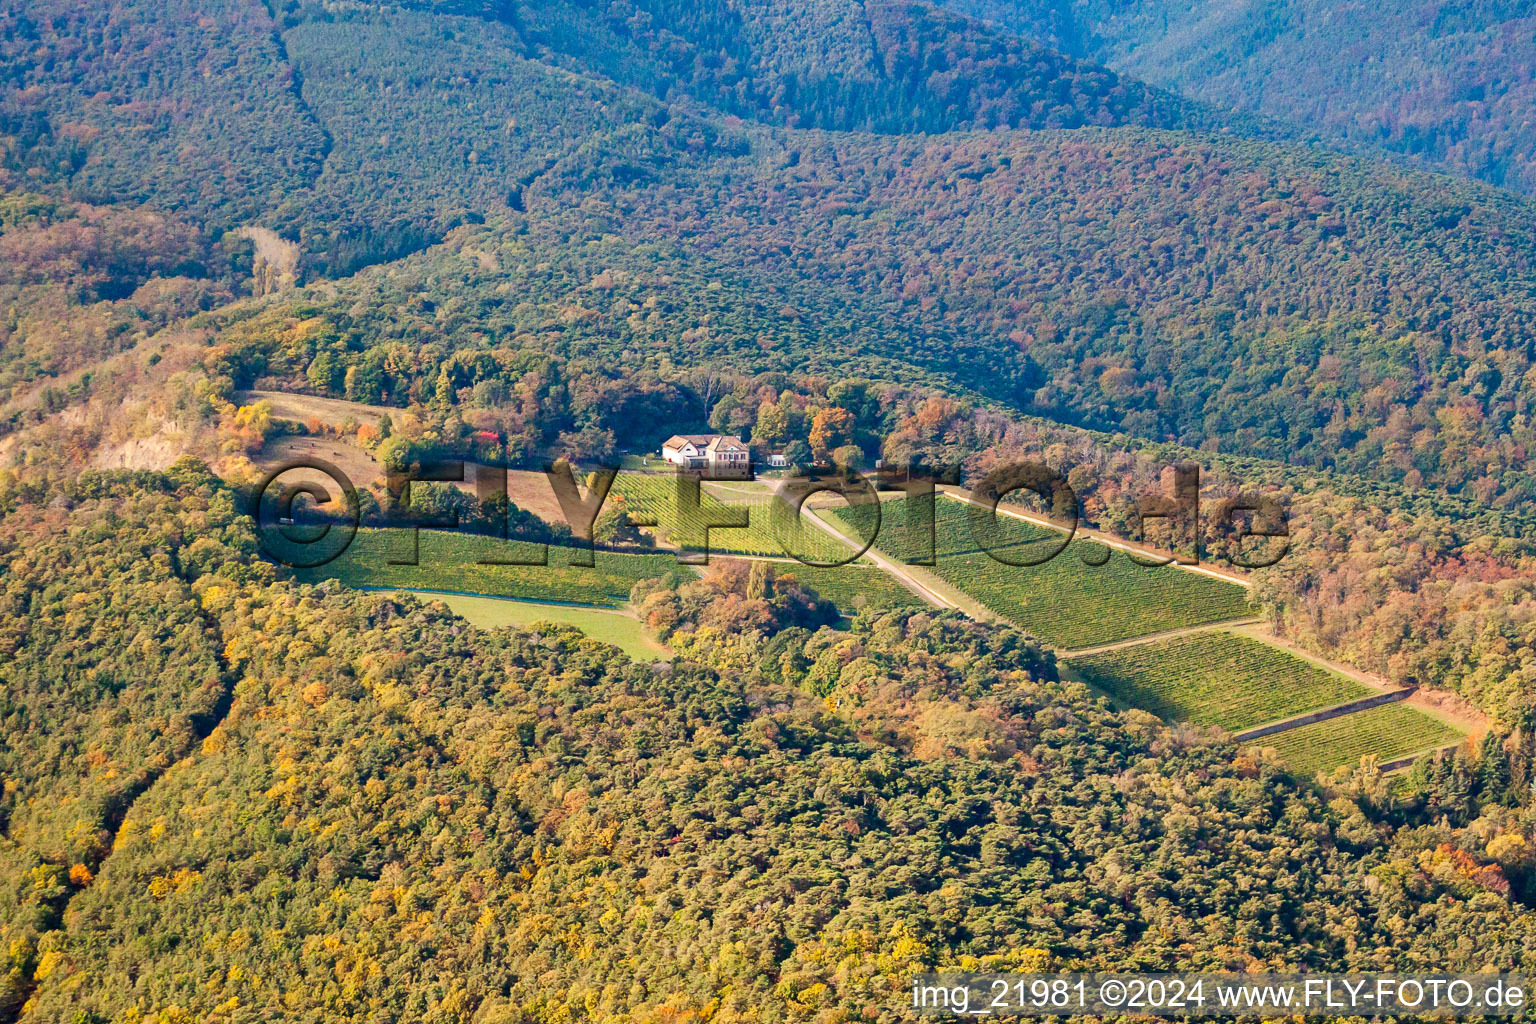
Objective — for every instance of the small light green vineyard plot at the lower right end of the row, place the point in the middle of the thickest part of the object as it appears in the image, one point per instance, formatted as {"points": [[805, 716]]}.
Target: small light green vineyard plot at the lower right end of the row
{"points": [[1388, 732]]}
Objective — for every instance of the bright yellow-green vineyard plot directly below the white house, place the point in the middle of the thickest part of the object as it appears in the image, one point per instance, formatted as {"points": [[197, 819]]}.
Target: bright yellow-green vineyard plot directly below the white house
{"points": [[654, 497]]}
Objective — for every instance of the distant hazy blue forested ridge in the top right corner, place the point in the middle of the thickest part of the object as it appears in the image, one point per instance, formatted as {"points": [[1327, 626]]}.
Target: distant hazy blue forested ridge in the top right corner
{"points": [[1448, 85]]}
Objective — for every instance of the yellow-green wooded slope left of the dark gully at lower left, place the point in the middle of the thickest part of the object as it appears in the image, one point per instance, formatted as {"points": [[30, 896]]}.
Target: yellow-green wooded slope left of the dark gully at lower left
{"points": [[111, 673]]}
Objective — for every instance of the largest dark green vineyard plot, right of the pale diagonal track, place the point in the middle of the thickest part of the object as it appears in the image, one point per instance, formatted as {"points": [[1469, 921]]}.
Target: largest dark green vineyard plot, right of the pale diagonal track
{"points": [[1067, 603]]}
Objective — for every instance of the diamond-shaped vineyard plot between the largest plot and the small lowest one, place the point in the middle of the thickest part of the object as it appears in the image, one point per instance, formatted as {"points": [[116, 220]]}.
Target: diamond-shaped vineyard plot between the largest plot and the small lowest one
{"points": [[1216, 679]]}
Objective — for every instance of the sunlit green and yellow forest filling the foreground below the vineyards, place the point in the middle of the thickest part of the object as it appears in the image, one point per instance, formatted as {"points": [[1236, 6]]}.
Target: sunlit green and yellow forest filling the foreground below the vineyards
{"points": [[392, 813]]}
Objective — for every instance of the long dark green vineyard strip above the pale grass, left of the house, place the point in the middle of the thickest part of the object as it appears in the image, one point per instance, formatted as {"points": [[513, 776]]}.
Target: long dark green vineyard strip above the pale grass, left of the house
{"points": [[451, 563]]}
